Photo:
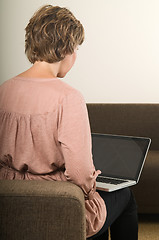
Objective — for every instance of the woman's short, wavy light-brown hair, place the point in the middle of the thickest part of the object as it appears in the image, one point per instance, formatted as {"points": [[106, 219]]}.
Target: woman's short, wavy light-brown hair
{"points": [[51, 34]]}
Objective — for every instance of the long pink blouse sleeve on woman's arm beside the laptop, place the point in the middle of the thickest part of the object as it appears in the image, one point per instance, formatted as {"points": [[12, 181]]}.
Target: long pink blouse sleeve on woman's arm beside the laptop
{"points": [[75, 138]]}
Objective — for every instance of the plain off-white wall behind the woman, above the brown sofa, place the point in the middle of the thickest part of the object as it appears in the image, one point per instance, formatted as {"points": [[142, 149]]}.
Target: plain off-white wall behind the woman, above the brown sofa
{"points": [[119, 60]]}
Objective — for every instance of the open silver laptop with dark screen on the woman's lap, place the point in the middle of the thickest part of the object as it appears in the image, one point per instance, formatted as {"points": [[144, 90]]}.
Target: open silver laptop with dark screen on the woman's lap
{"points": [[120, 159]]}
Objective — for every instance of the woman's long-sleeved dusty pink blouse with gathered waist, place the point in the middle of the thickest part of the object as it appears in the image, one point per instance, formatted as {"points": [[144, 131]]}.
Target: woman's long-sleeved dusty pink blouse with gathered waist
{"points": [[45, 134]]}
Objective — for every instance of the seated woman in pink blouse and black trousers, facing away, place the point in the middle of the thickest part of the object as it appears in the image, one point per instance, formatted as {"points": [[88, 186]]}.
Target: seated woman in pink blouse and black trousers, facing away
{"points": [[44, 126]]}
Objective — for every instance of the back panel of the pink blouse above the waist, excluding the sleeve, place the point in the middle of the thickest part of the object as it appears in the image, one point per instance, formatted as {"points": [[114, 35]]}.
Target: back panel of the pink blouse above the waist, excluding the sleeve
{"points": [[29, 115]]}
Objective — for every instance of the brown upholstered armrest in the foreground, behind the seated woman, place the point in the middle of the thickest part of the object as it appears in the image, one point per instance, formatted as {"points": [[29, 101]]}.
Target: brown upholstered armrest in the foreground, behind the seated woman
{"points": [[43, 210]]}
